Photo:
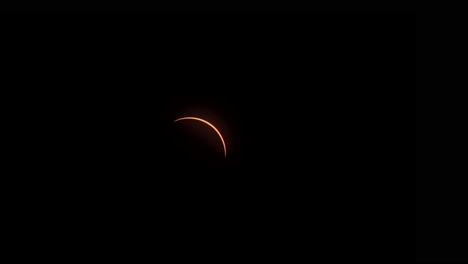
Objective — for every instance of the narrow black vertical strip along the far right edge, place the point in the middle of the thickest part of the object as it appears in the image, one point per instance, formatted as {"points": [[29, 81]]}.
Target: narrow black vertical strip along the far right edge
{"points": [[440, 189]]}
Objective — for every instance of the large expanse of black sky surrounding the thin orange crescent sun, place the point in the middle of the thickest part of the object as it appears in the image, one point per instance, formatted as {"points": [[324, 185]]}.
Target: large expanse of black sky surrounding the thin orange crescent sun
{"points": [[317, 114]]}
